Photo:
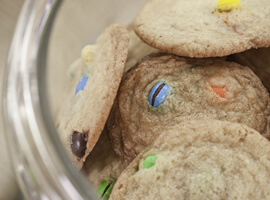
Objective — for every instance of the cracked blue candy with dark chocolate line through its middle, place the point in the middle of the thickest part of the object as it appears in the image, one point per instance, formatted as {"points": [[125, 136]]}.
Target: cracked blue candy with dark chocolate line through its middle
{"points": [[159, 94]]}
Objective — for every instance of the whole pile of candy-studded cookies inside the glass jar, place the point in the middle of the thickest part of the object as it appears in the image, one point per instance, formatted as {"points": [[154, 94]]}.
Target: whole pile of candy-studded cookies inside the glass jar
{"points": [[181, 119]]}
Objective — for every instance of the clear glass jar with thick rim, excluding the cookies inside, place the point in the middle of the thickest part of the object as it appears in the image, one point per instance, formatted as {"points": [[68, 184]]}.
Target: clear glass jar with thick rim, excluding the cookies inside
{"points": [[49, 37]]}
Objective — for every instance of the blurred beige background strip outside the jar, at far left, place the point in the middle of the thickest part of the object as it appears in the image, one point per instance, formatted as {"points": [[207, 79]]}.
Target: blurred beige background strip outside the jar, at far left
{"points": [[9, 11]]}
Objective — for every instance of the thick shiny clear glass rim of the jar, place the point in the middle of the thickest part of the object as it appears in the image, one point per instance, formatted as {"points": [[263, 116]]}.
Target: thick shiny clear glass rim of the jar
{"points": [[41, 164]]}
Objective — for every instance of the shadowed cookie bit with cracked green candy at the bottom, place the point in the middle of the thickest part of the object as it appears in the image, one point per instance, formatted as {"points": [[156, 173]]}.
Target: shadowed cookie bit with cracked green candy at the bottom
{"points": [[103, 166]]}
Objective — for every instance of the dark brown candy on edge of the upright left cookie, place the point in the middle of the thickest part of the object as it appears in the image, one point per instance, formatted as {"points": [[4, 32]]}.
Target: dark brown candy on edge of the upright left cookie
{"points": [[78, 143]]}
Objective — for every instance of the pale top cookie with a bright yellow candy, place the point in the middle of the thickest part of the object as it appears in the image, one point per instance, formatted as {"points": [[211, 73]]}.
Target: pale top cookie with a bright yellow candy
{"points": [[204, 28]]}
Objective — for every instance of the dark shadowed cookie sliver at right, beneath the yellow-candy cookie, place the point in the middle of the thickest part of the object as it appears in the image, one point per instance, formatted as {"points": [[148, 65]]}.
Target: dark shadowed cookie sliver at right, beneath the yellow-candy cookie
{"points": [[258, 60]]}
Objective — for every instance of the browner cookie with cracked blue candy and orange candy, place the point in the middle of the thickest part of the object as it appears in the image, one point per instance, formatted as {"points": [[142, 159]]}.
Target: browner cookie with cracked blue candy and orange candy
{"points": [[163, 90]]}
